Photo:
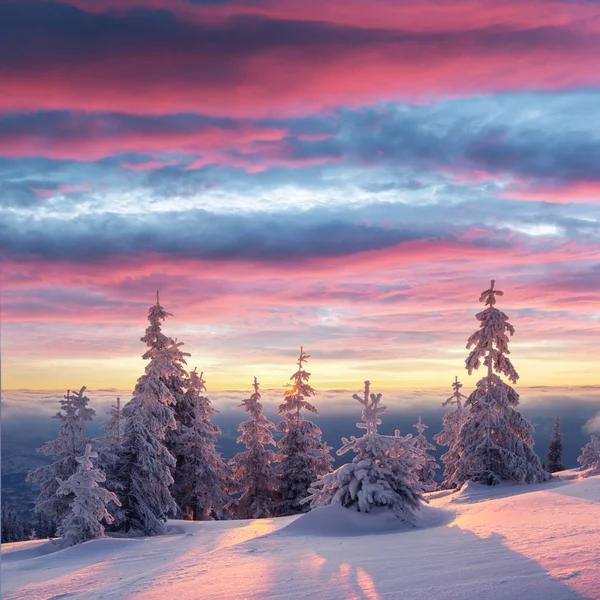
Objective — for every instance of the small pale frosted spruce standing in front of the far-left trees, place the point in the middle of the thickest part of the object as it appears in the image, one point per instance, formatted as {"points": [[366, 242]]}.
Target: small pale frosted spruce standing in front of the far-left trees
{"points": [[88, 509]]}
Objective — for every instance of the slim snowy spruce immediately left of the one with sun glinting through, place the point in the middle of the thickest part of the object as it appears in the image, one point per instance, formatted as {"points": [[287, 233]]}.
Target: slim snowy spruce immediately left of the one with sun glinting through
{"points": [[253, 469]]}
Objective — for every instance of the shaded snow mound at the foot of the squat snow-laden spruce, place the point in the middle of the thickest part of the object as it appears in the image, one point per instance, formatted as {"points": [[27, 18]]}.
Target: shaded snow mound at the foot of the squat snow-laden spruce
{"points": [[336, 521]]}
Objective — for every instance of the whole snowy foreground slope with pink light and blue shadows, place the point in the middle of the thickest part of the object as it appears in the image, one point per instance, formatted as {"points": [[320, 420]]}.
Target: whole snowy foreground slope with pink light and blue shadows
{"points": [[539, 542]]}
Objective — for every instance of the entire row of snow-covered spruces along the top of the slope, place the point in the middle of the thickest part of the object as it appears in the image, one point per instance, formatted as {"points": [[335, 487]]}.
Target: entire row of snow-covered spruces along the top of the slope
{"points": [[158, 455]]}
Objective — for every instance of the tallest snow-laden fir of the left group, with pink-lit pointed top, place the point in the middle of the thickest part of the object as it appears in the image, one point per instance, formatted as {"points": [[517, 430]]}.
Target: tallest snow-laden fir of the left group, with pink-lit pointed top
{"points": [[144, 465]]}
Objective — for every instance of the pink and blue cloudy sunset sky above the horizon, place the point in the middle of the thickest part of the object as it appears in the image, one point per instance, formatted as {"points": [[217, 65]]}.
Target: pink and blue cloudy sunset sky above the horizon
{"points": [[345, 175]]}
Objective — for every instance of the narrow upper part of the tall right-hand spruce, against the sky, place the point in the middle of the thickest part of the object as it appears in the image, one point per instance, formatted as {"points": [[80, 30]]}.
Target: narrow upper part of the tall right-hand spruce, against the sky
{"points": [[490, 341]]}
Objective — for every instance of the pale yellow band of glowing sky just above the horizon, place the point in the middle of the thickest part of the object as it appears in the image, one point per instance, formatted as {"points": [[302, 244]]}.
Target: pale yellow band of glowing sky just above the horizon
{"points": [[119, 373]]}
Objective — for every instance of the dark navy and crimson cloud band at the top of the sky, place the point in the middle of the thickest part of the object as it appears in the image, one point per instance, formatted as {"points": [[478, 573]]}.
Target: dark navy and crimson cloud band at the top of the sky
{"points": [[254, 65]]}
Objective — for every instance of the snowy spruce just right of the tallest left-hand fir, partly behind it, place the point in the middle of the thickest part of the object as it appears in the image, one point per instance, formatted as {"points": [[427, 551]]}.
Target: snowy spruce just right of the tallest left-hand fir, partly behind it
{"points": [[202, 479]]}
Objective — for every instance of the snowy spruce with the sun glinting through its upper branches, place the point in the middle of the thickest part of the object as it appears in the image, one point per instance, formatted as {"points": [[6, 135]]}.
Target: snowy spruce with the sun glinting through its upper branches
{"points": [[302, 455]]}
